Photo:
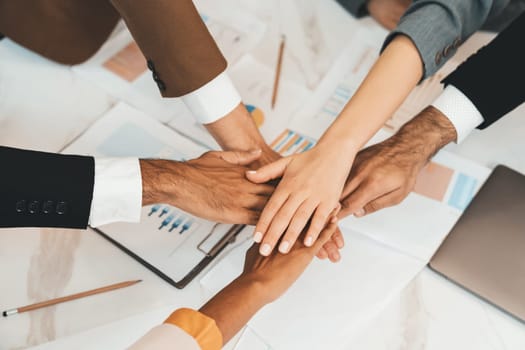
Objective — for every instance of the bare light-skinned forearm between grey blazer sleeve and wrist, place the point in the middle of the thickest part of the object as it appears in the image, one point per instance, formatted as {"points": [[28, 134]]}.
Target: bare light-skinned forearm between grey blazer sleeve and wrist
{"points": [[393, 76]]}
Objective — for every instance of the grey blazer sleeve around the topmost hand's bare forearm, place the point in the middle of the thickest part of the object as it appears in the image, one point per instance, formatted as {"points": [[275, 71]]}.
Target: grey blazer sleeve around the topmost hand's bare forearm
{"points": [[438, 27]]}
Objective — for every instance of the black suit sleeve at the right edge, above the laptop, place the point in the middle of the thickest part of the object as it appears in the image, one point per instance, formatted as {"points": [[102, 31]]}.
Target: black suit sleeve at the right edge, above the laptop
{"points": [[494, 78]]}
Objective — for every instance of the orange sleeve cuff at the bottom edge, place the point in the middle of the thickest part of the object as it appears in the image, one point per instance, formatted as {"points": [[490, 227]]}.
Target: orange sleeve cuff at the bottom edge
{"points": [[199, 326]]}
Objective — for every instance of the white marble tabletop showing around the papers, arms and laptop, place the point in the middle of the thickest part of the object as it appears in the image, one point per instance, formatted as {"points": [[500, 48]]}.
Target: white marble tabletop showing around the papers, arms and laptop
{"points": [[44, 106]]}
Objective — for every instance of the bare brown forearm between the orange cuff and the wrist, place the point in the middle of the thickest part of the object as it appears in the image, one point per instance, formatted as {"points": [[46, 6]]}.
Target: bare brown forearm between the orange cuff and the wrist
{"points": [[233, 306]]}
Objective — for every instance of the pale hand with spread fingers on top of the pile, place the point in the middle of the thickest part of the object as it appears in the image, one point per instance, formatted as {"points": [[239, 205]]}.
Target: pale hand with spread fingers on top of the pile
{"points": [[310, 189]]}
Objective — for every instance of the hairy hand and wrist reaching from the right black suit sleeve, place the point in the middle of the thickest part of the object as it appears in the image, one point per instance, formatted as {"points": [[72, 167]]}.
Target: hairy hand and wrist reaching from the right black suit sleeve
{"points": [[385, 173]]}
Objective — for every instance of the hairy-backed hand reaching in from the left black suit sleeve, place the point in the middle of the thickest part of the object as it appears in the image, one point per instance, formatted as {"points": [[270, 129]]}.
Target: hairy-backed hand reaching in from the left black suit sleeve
{"points": [[212, 186]]}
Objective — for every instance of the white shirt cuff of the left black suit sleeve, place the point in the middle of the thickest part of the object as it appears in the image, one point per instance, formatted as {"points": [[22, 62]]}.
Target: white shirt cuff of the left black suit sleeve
{"points": [[117, 192]]}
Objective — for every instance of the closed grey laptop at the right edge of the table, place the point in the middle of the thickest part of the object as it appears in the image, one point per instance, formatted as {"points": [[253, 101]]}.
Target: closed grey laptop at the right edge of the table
{"points": [[485, 251]]}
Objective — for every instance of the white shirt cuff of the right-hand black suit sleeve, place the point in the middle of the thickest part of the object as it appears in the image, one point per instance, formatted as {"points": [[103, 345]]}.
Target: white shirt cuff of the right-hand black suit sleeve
{"points": [[461, 112]]}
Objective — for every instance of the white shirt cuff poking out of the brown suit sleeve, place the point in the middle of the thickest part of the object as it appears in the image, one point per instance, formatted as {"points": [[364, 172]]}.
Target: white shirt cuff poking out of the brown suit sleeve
{"points": [[213, 100]]}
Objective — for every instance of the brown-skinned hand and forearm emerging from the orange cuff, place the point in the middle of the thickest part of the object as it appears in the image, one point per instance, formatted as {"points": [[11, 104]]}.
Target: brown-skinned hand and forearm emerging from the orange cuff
{"points": [[263, 280]]}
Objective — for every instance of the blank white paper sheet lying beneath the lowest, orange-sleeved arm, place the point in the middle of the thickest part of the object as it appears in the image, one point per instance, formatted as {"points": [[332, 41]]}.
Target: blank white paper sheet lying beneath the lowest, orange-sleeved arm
{"points": [[332, 299]]}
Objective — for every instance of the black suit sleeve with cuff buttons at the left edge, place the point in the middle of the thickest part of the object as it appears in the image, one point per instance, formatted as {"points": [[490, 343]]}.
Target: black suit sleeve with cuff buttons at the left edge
{"points": [[40, 189]]}
